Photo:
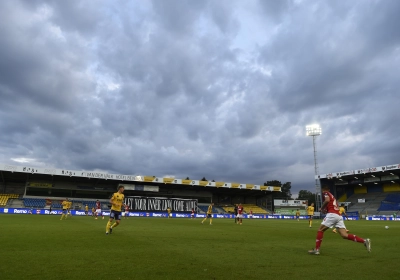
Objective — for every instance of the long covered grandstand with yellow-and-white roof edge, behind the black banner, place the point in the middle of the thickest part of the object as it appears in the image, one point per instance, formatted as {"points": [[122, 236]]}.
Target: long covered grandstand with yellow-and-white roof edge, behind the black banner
{"points": [[40, 188]]}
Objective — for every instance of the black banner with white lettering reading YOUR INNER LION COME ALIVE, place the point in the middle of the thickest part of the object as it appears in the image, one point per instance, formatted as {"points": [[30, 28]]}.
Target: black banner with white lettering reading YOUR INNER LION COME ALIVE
{"points": [[142, 203]]}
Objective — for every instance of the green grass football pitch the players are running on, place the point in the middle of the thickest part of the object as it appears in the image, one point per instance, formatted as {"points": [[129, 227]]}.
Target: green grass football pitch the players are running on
{"points": [[43, 247]]}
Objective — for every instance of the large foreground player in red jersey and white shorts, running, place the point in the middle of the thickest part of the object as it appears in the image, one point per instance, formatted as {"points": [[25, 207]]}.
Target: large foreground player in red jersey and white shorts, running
{"points": [[333, 218]]}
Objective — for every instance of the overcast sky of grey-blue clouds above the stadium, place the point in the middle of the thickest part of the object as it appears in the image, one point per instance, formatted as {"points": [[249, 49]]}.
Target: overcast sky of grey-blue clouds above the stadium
{"points": [[221, 89]]}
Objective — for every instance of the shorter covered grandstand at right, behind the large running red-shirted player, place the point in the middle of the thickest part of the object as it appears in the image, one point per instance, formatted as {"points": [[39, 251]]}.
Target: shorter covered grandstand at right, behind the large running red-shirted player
{"points": [[369, 191]]}
